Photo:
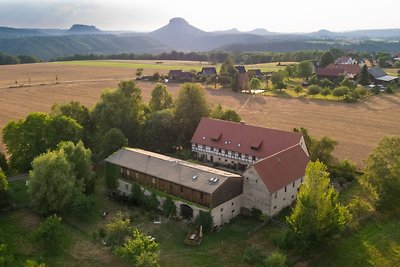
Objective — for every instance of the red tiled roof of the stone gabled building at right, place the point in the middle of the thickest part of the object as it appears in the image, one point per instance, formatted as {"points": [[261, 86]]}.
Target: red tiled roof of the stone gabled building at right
{"points": [[283, 168]]}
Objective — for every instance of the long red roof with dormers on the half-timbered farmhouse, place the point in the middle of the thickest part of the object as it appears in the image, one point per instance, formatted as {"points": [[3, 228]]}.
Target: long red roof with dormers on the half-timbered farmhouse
{"points": [[239, 137]]}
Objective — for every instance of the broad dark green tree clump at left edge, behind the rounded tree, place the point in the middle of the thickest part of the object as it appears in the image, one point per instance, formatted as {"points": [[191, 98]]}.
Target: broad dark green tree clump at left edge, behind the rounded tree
{"points": [[34, 135]]}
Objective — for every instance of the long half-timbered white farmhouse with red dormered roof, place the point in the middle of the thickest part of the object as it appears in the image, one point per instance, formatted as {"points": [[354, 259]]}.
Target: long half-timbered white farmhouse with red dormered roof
{"points": [[238, 145]]}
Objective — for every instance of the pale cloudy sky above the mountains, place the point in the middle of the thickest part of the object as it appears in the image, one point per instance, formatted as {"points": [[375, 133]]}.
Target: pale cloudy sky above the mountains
{"points": [[208, 15]]}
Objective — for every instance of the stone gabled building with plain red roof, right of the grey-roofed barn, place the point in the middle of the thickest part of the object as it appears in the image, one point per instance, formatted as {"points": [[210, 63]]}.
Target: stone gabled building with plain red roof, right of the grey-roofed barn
{"points": [[272, 183]]}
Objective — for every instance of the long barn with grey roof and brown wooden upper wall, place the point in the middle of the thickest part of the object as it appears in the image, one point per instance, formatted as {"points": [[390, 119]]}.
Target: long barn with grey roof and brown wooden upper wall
{"points": [[193, 187]]}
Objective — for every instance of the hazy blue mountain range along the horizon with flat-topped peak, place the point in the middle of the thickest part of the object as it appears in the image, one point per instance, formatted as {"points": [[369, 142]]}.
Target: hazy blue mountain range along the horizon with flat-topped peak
{"points": [[179, 35]]}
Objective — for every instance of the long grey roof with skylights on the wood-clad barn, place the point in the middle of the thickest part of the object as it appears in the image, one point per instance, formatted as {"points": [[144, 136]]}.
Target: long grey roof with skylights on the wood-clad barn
{"points": [[171, 169]]}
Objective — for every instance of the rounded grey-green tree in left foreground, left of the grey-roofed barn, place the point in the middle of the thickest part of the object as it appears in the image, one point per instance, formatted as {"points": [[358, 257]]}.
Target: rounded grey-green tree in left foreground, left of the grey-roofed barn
{"points": [[52, 184]]}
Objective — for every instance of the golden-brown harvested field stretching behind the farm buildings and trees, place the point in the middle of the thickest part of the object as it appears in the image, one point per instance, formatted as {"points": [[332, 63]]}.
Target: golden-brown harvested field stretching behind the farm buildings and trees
{"points": [[357, 127]]}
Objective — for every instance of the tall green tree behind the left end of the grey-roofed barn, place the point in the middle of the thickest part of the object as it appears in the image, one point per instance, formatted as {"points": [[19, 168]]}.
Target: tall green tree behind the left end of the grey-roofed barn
{"points": [[122, 109]]}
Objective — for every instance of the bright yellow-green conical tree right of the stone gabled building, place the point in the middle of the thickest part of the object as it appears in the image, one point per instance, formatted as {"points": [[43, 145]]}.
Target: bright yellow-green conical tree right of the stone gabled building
{"points": [[317, 215]]}
